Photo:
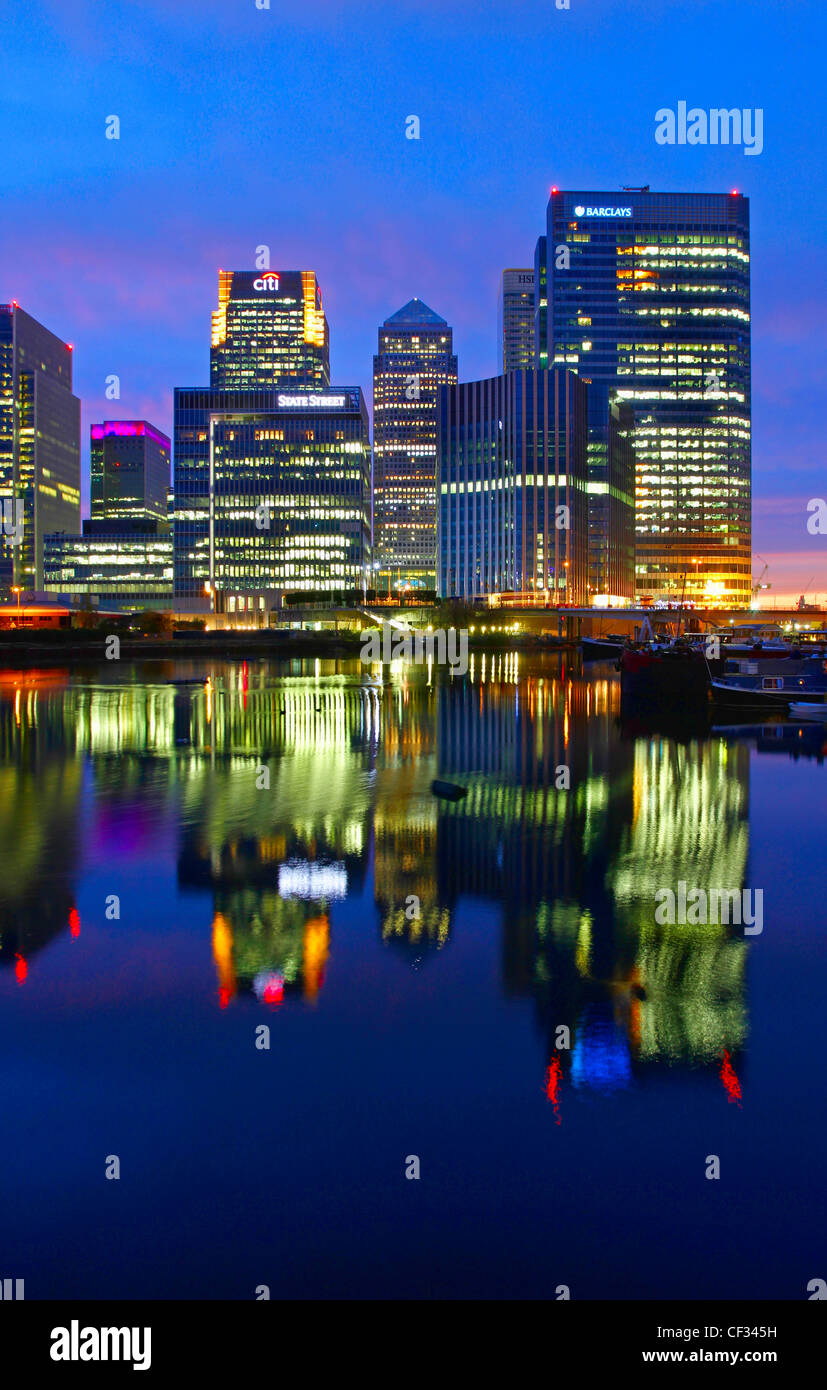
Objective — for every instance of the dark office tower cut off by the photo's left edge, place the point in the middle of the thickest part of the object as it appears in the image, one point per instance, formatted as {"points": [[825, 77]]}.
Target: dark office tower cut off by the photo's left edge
{"points": [[40, 445]]}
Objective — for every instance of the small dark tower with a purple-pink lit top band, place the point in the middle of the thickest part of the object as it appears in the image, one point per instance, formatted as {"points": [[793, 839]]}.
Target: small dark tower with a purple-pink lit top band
{"points": [[130, 472]]}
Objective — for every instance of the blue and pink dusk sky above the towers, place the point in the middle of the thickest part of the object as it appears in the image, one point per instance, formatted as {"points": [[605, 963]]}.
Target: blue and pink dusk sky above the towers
{"points": [[287, 127]]}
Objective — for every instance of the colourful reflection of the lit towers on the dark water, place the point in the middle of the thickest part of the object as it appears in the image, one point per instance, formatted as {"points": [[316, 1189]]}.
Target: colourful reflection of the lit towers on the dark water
{"points": [[571, 825]]}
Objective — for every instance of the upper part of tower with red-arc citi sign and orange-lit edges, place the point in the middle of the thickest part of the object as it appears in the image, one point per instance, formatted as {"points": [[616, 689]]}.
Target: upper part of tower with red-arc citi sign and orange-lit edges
{"points": [[269, 329]]}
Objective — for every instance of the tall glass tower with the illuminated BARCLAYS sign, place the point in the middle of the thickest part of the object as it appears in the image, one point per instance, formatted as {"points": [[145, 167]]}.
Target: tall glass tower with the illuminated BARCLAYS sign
{"points": [[648, 297]]}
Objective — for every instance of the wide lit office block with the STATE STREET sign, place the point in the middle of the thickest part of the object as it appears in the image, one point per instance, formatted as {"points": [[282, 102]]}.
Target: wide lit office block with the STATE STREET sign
{"points": [[272, 494]]}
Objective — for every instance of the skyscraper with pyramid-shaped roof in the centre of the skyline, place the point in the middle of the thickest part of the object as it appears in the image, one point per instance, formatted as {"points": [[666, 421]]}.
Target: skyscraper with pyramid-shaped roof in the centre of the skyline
{"points": [[415, 359]]}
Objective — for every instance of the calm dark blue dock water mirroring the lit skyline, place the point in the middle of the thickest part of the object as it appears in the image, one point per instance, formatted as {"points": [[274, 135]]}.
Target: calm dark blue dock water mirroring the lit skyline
{"points": [[394, 1035]]}
